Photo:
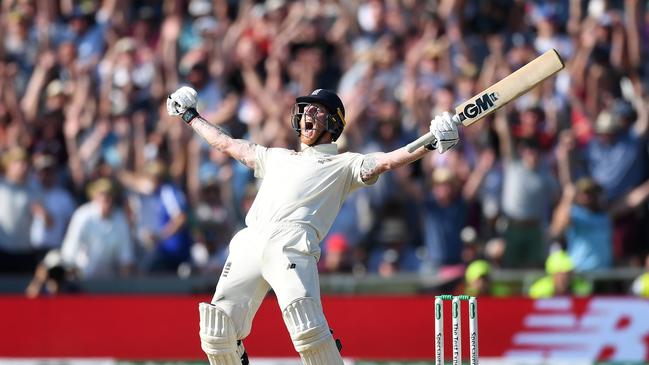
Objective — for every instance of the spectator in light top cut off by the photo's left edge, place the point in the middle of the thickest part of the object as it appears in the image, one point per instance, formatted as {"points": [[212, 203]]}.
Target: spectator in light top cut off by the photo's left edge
{"points": [[19, 204]]}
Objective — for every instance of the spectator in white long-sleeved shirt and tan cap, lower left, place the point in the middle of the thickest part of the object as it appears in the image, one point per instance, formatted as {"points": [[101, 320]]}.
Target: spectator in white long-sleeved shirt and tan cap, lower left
{"points": [[97, 243]]}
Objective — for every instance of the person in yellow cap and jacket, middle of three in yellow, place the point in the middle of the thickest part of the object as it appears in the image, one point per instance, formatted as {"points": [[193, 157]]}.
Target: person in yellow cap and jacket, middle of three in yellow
{"points": [[560, 279]]}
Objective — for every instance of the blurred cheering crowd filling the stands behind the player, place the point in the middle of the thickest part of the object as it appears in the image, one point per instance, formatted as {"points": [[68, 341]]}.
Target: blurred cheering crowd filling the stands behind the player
{"points": [[93, 167]]}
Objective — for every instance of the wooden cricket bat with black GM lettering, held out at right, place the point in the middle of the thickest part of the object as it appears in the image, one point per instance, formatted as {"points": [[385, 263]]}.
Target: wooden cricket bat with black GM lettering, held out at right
{"points": [[501, 93]]}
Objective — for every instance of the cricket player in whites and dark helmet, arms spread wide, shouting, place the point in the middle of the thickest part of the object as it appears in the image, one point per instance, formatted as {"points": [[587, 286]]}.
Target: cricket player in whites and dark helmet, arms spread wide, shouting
{"points": [[299, 197]]}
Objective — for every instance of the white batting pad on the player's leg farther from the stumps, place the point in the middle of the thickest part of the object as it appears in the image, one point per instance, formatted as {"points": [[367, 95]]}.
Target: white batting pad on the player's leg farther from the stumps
{"points": [[218, 338]]}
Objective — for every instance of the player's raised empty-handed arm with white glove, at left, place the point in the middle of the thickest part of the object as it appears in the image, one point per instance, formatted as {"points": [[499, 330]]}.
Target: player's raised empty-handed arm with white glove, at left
{"points": [[183, 102]]}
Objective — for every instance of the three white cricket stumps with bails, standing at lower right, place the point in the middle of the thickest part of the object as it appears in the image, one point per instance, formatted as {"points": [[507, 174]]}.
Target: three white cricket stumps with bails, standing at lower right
{"points": [[456, 328]]}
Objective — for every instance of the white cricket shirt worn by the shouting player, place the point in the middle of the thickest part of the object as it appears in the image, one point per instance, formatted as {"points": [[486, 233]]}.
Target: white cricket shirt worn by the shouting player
{"points": [[306, 187]]}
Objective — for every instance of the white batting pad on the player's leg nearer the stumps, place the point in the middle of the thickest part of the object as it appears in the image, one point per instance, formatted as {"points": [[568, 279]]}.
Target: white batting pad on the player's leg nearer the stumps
{"points": [[310, 333]]}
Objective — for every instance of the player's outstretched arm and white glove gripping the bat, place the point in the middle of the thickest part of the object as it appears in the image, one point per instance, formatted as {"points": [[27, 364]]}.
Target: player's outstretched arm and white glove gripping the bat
{"points": [[445, 137]]}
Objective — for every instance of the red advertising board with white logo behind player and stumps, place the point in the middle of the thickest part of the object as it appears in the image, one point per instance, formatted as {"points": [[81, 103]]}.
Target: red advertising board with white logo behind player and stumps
{"points": [[370, 327]]}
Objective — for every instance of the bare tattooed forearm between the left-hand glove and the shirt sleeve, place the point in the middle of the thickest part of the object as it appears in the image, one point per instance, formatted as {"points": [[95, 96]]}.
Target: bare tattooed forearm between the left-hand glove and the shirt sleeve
{"points": [[241, 150]]}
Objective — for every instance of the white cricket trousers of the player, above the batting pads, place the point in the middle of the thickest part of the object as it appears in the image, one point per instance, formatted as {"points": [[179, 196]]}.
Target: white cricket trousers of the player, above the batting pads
{"points": [[282, 257]]}
